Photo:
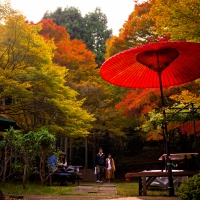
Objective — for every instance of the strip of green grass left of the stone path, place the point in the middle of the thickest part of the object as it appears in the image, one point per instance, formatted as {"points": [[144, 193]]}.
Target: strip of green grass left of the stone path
{"points": [[16, 188]]}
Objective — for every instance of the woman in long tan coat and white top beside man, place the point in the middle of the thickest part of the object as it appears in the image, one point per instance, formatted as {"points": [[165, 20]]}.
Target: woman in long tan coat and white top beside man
{"points": [[110, 168]]}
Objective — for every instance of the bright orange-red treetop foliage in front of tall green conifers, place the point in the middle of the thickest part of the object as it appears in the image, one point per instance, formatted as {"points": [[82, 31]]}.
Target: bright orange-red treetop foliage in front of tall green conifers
{"points": [[73, 54]]}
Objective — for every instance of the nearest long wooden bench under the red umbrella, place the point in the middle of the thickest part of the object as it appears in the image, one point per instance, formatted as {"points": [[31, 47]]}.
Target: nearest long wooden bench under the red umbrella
{"points": [[145, 178]]}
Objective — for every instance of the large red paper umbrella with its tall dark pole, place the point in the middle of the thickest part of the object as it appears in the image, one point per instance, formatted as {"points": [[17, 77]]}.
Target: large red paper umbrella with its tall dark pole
{"points": [[155, 65]]}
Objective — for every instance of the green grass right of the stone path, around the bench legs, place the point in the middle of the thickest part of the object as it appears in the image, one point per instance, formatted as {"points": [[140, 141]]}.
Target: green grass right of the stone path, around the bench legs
{"points": [[131, 189]]}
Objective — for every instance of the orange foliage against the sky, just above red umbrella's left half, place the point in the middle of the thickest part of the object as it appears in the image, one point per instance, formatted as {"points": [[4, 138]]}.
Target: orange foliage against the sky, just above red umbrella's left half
{"points": [[136, 31]]}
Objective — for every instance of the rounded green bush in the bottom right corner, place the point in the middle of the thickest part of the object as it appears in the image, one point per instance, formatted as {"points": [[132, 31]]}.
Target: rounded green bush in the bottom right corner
{"points": [[190, 188]]}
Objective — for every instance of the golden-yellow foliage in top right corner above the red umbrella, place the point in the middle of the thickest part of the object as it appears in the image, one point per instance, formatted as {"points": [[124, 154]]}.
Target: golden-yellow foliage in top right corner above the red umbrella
{"points": [[179, 18]]}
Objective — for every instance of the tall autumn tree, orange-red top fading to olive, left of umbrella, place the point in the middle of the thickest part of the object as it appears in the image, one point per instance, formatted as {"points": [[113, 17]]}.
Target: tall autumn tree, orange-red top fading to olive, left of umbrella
{"points": [[83, 76]]}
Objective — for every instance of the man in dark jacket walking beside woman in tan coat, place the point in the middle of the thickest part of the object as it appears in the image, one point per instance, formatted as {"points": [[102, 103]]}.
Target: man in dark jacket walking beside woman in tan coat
{"points": [[100, 164]]}
